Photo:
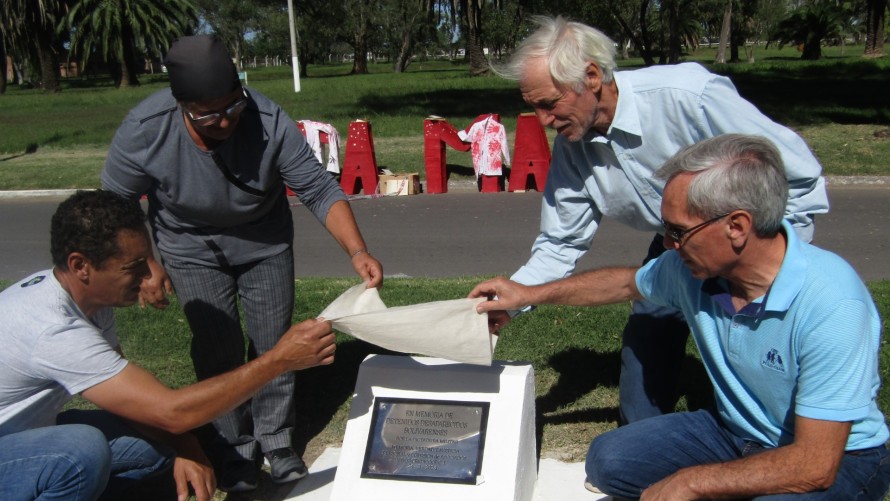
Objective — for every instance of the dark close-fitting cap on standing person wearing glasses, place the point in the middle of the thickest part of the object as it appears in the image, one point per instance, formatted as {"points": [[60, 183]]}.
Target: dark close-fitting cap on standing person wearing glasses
{"points": [[200, 69]]}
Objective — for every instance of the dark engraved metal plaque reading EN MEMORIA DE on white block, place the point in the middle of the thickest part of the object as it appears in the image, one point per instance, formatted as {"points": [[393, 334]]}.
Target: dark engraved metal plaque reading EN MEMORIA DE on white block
{"points": [[426, 440]]}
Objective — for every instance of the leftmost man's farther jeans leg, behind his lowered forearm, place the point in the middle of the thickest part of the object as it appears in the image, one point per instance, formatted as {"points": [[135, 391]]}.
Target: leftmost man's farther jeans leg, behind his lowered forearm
{"points": [[133, 458]]}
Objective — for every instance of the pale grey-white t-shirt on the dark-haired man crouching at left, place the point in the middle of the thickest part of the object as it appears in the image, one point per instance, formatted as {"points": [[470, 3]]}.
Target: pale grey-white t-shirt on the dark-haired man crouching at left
{"points": [[51, 351]]}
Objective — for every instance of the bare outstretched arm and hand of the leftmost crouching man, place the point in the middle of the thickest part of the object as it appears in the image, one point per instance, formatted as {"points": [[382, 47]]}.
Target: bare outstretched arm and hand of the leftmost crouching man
{"points": [[137, 395]]}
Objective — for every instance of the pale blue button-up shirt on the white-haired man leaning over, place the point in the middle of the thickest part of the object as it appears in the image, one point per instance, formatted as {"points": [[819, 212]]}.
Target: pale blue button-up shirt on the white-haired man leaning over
{"points": [[660, 110]]}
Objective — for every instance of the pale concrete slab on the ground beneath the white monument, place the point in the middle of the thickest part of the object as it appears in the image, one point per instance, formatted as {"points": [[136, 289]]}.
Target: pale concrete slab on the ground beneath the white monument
{"points": [[557, 481]]}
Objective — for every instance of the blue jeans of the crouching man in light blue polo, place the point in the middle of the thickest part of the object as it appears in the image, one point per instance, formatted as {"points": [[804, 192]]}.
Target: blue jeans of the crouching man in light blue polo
{"points": [[624, 461]]}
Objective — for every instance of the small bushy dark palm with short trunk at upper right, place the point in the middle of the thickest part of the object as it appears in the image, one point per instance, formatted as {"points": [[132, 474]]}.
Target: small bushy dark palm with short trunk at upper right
{"points": [[809, 25]]}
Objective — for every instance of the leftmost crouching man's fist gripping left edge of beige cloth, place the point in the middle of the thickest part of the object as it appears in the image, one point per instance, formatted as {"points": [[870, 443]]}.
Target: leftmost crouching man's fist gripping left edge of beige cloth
{"points": [[307, 344]]}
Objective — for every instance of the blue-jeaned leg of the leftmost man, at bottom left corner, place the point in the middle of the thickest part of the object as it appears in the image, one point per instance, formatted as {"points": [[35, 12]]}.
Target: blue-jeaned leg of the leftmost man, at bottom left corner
{"points": [[70, 462]]}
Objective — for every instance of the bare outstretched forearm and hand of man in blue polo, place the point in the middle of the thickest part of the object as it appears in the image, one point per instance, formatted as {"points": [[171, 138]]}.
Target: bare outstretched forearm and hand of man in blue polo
{"points": [[590, 288]]}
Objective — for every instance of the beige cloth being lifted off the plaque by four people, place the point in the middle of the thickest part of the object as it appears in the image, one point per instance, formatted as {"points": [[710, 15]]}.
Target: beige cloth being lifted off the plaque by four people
{"points": [[445, 329]]}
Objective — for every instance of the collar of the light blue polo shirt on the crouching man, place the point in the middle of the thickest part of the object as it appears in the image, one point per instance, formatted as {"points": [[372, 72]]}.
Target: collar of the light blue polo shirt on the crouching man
{"points": [[781, 292]]}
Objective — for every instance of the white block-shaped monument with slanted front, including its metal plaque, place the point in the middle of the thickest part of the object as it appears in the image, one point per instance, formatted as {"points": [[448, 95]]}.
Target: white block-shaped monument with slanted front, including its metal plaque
{"points": [[432, 429]]}
